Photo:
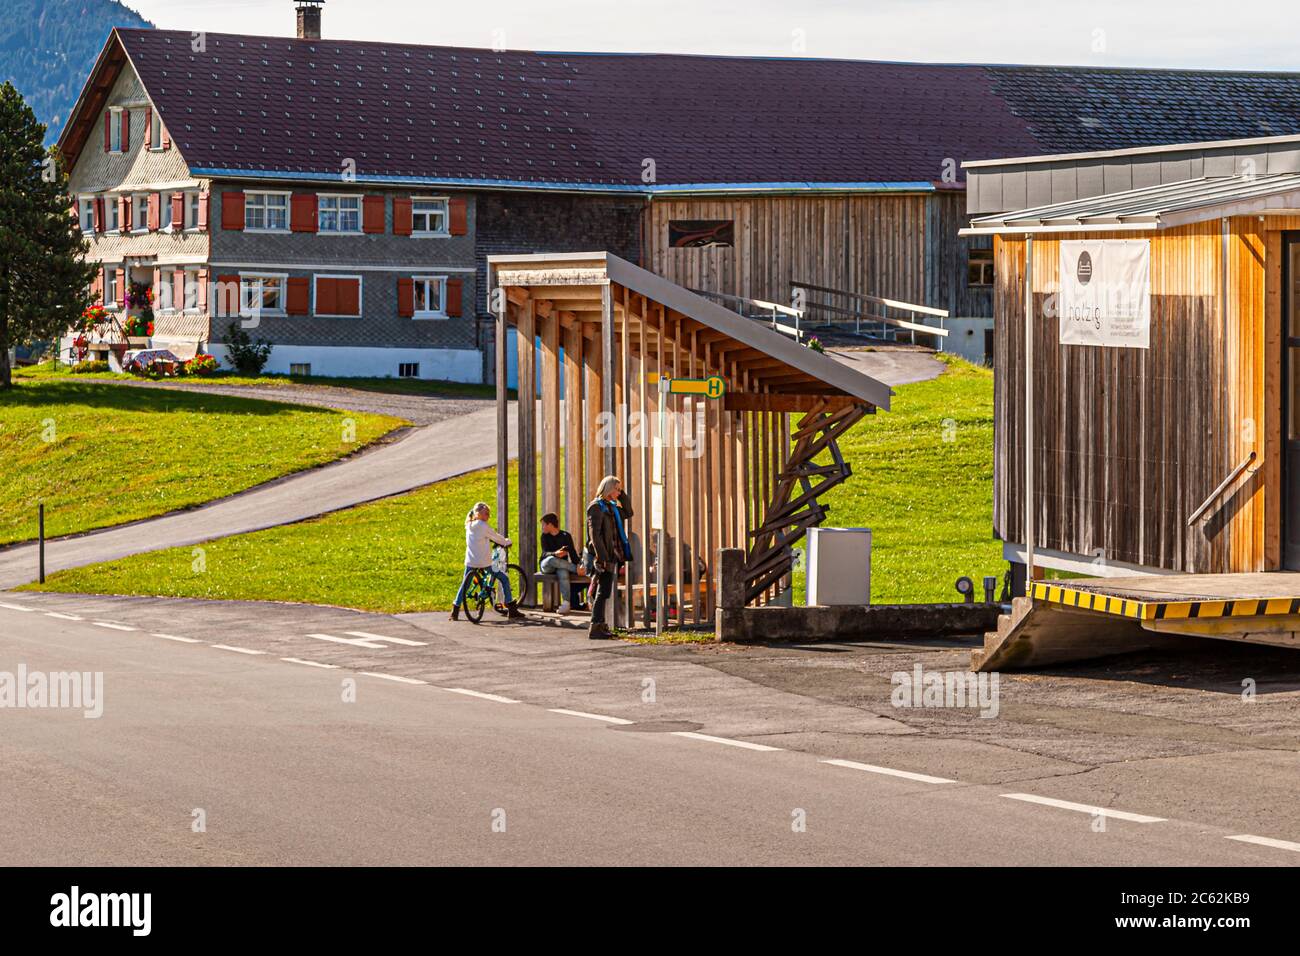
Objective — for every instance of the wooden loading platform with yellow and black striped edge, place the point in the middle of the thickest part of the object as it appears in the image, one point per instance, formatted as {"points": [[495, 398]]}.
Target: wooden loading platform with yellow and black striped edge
{"points": [[1091, 618]]}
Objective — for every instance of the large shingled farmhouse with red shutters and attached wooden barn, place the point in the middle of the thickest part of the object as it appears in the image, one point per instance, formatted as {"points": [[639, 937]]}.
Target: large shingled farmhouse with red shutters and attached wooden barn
{"points": [[344, 197]]}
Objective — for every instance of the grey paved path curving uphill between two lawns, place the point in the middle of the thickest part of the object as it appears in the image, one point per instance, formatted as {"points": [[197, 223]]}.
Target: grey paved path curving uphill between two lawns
{"points": [[422, 457]]}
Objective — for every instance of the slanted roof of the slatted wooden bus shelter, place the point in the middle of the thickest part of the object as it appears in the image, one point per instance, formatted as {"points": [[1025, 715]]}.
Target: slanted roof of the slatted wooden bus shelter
{"points": [[573, 283]]}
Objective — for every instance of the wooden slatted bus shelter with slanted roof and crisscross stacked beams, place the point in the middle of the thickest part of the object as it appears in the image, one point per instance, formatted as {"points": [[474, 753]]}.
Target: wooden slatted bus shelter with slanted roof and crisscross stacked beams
{"points": [[722, 430]]}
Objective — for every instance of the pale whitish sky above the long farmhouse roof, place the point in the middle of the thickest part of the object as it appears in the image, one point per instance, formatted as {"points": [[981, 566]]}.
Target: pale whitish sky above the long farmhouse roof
{"points": [[1102, 33]]}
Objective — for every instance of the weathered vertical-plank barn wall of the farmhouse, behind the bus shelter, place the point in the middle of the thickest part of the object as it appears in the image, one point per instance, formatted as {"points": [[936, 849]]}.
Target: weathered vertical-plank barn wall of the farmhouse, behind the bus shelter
{"points": [[866, 244]]}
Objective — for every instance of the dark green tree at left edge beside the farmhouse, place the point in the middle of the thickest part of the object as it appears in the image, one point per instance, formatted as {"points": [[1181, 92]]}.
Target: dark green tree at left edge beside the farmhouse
{"points": [[45, 276]]}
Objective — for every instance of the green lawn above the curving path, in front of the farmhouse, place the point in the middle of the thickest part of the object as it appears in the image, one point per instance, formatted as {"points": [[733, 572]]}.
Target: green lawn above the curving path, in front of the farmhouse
{"points": [[98, 455]]}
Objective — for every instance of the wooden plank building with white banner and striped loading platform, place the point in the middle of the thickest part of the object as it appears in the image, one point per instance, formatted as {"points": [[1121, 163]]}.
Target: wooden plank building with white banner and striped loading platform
{"points": [[1147, 400]]}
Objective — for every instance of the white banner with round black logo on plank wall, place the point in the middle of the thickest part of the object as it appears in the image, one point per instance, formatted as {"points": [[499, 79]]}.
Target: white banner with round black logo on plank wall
{"points": [[1106, 293]]}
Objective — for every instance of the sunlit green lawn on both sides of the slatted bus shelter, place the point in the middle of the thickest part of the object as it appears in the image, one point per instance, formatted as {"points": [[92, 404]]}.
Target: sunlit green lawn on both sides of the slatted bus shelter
{"points": [[922, 482]]}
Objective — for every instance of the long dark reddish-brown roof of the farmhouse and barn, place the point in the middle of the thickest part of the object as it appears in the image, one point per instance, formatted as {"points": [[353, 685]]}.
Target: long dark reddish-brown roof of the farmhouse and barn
{"points": [[305, 107]]}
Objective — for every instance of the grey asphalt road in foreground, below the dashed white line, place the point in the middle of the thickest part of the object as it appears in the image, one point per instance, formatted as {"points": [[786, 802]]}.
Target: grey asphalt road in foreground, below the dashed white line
{"points": [[284, 771]]}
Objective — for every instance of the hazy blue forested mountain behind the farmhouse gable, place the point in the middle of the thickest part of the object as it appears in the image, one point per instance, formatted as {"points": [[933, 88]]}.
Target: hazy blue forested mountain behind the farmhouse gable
{"points": [[49, 47]]}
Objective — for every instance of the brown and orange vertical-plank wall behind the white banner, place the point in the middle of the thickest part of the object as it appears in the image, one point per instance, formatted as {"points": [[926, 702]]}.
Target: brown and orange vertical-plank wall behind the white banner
{"points": [[1128, 443]]}
